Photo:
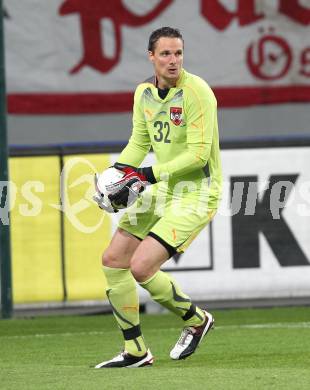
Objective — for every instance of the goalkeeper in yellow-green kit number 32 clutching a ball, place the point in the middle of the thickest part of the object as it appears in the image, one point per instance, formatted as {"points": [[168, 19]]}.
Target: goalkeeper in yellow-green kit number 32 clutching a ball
{"points": [[175, 113]]}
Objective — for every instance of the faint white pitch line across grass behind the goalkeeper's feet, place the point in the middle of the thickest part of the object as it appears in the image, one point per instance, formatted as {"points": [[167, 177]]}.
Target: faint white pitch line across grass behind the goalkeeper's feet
{"points": [[276, 325]]}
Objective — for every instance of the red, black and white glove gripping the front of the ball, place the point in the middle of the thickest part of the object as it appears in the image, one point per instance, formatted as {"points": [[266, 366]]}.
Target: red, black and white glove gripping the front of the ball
{"points": [[136, 179]]}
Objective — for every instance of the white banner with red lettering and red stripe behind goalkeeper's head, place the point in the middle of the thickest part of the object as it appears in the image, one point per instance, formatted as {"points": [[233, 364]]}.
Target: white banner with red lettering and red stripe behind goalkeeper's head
{"points": [[87, 56]]}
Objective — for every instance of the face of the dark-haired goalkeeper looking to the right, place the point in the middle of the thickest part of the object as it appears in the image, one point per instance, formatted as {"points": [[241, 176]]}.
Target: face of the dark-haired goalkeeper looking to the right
{"points": [[167, 59]]}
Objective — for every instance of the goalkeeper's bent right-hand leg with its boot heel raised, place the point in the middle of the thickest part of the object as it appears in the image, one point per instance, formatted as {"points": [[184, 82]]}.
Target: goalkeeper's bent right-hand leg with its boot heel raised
{"points": [[145, 267]]}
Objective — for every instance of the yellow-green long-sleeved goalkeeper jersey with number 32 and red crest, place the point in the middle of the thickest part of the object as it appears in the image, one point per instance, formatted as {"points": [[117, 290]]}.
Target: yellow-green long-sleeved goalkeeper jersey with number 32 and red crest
{"points": [[182, 130]]}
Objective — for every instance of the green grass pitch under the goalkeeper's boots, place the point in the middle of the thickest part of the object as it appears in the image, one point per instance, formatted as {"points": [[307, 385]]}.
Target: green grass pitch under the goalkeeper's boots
{"points": [[248, 349]]}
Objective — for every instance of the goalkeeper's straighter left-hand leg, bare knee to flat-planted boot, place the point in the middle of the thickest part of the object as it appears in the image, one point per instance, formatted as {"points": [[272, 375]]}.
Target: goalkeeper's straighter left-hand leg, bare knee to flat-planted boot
{"points": [[123, 297]]}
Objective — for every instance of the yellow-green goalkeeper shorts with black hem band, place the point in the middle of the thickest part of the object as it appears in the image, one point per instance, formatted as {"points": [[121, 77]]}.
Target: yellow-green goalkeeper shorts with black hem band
{"points": [[172, 220]]}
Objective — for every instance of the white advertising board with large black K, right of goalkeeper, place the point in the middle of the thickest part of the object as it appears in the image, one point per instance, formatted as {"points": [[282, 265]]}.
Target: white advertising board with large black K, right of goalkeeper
{"points": [[259, 246]]}
